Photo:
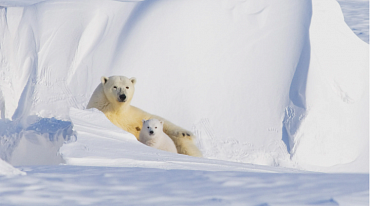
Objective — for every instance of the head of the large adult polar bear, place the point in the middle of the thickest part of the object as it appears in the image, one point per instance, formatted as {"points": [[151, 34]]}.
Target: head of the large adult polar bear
{"points": [[118, 89]]}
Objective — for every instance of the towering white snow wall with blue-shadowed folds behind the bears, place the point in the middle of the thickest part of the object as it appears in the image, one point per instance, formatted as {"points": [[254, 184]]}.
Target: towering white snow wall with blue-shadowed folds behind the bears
{"points": [[271, 83]]}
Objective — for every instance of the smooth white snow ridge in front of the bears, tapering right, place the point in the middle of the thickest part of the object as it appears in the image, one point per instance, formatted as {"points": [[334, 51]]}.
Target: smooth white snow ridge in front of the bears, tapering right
{"points": [[100, 143]]}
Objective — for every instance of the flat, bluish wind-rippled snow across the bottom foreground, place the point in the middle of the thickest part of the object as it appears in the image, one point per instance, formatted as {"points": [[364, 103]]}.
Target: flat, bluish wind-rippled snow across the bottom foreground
{"points": [[120, 185]]}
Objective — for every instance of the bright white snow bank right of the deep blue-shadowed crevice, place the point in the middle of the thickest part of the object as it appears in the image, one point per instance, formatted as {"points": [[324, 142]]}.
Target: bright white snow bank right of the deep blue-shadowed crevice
{"points": [[335, 129]]}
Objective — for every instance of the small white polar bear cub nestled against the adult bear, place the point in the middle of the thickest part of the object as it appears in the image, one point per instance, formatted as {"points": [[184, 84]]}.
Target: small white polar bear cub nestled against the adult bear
{"points": [[152, 135]]}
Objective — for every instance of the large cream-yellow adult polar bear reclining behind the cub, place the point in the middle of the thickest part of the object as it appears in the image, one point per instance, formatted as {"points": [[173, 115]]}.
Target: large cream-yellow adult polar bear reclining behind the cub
{"points": [[113, 97]]}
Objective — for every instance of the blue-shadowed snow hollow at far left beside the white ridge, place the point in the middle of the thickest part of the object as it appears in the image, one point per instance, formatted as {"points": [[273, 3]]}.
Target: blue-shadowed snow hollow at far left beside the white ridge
{"points": [[35, 141]]}
